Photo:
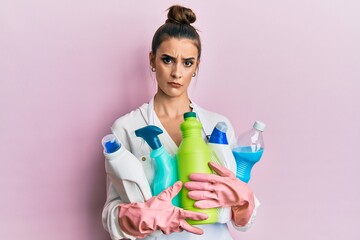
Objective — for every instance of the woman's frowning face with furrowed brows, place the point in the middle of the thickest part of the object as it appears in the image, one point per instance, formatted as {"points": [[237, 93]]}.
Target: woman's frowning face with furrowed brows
{"points": [[176, 61]]}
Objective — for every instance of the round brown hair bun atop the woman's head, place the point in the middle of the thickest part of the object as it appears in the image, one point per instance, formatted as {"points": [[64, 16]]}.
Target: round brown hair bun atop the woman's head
{"points": [[181, 15]]}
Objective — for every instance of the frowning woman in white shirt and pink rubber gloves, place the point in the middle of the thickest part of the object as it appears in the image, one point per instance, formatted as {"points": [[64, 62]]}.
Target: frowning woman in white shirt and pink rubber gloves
{"points": [[175, 58]]}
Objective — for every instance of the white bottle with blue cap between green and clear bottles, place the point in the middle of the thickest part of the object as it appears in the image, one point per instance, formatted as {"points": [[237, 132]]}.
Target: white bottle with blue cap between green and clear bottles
{"points": [[223, 156]]}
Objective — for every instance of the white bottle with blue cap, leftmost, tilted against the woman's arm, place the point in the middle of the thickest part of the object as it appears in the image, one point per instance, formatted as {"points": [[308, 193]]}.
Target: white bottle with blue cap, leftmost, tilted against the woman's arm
{"points": [[125, 171]]}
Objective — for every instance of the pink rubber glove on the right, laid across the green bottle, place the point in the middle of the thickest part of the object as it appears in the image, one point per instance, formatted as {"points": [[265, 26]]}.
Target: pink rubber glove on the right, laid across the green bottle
{"points": [[223, 190]]}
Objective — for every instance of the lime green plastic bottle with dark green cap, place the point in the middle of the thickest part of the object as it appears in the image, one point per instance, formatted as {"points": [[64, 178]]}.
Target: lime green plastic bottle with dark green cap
{"points": [[193, 156]]}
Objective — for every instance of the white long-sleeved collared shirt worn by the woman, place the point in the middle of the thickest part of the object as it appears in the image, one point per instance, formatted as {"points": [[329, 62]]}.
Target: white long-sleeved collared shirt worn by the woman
{"points": [[124, 128]]}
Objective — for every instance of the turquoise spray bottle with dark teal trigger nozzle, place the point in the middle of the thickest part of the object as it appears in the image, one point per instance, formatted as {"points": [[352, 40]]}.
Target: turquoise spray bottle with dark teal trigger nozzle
{"points": [[165, 165]]}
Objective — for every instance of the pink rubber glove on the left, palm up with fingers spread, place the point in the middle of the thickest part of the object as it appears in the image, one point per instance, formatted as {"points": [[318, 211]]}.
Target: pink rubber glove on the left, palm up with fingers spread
{"points": [[158, 213]]}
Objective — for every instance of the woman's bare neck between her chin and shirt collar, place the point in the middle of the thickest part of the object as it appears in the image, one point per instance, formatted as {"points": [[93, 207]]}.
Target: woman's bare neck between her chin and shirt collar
{"points": [[171, 107]]}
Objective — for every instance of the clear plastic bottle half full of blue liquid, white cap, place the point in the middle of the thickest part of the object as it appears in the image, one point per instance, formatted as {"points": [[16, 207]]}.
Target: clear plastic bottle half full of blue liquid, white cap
{"points": [[249, 149]]}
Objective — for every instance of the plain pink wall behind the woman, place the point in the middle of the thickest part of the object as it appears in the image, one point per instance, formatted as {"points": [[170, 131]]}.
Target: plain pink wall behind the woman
{"points": [[68, 69]]}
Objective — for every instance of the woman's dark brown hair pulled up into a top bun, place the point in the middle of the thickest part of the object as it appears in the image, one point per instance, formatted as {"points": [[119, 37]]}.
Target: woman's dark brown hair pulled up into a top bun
{"points": [[177, 25]]}
